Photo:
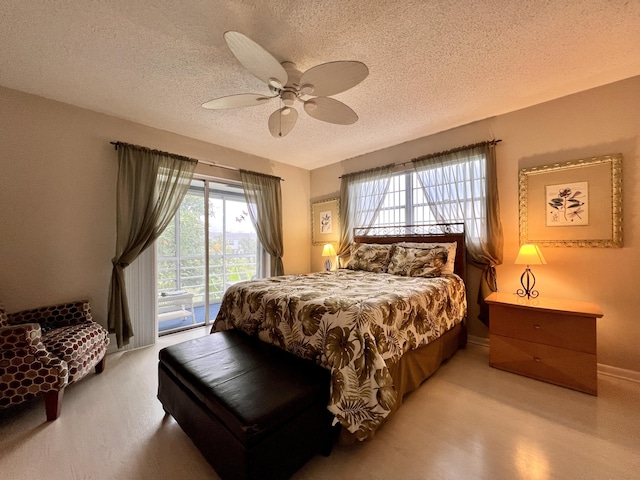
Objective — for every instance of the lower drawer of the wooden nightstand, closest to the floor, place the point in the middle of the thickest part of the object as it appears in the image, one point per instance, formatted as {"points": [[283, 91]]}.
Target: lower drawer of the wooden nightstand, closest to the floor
{"points": [[568, 368]]}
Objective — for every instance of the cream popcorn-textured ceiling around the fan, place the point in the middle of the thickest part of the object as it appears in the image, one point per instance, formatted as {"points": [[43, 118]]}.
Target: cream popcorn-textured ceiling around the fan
{"points": [[434, 64]]}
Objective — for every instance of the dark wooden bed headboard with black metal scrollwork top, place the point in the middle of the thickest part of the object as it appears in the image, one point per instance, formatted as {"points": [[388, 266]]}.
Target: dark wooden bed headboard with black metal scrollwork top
{"points": [[434, 232]]}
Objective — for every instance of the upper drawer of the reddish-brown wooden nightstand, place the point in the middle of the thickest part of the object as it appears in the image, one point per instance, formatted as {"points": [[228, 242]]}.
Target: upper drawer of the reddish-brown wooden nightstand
{"points": [[560, 330]]}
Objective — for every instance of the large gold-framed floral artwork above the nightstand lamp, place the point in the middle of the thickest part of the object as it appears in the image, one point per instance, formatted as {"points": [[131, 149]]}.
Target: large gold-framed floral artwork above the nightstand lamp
{"points": [[572, 204]]}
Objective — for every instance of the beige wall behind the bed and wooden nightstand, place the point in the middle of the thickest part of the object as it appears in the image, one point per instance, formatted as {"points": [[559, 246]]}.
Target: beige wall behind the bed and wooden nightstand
{"points": [[596, 122]]}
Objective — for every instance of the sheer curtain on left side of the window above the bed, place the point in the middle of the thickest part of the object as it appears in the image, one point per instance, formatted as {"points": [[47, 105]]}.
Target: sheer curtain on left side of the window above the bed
{"points": [[361, 196]]}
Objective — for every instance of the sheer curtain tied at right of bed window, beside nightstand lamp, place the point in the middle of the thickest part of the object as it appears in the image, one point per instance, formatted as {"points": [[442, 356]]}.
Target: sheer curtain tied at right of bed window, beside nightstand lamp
{"points": [[461, 185]]}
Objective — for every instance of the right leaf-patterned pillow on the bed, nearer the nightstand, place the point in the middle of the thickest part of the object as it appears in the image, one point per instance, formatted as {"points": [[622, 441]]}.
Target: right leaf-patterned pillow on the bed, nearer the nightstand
{"points": [[417, 262]]}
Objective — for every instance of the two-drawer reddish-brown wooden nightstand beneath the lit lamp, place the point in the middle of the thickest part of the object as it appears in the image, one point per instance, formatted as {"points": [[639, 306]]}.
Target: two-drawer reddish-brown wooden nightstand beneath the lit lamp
{"points": [[549, 339]]}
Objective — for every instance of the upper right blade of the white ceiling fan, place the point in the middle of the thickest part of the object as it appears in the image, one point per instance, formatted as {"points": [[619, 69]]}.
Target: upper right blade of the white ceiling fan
{"points": [[334, 77]]}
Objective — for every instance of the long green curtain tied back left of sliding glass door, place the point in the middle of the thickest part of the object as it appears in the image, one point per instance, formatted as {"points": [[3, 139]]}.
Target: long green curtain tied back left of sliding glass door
{"points": [[151, 186]]}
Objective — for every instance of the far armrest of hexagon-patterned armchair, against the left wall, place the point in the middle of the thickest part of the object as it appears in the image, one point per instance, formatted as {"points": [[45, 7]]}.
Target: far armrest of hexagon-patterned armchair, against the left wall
{"points": [[55, 316]]}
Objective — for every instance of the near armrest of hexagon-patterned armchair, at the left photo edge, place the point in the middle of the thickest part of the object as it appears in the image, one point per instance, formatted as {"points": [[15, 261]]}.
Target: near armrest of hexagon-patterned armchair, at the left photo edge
{"points": [[21, 345]]}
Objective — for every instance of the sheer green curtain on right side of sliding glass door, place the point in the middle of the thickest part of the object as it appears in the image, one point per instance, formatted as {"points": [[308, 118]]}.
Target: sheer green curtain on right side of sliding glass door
{"points": [[264, 200]]}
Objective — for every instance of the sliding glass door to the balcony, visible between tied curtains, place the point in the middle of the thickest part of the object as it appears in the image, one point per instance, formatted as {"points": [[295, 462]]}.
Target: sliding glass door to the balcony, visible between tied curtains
{"points": [[210, 245]]}
